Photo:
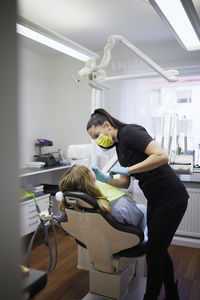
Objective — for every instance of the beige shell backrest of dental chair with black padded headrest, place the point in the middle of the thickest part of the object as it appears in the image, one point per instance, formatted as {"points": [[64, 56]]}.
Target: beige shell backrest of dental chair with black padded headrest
{"points": [[98, 231]]}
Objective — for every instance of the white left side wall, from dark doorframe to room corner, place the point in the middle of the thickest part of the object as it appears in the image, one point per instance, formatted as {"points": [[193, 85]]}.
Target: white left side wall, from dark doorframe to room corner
{"points": [[34, 94]]}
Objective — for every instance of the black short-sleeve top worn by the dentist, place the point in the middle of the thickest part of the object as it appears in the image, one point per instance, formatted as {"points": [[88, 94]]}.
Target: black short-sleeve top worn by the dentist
{"points": [[161, 184]]}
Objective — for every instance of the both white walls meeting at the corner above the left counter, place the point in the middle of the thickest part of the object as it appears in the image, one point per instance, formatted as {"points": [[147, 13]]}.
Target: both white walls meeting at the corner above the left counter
{"points": [[50, 104]]}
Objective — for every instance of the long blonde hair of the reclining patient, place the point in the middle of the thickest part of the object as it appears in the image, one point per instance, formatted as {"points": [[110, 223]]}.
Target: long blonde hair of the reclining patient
{"points": [[80, 178]]}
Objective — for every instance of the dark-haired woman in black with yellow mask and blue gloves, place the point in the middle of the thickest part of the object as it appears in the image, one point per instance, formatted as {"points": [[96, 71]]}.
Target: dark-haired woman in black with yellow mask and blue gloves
{"points": [[140, 156]]}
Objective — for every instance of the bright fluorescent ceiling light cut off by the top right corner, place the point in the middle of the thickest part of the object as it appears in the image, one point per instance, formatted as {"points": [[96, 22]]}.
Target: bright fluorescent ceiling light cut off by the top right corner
{"points": [[182, 18]]}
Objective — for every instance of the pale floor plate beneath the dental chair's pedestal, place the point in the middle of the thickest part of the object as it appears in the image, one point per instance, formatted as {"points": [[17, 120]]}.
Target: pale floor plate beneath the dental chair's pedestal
{"points": [[136, 291]]}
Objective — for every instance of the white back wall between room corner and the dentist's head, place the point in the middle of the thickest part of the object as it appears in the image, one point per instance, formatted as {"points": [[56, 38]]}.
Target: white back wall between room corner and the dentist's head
{"points": [[71, 105]]}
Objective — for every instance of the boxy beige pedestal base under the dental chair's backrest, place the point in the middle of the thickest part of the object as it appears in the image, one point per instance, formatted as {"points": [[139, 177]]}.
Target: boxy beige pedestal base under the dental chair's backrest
{"points": [[126, 282]]}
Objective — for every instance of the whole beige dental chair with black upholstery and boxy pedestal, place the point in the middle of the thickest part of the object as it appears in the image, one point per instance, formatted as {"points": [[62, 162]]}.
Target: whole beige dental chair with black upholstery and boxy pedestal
{"points": [[107, 248]]}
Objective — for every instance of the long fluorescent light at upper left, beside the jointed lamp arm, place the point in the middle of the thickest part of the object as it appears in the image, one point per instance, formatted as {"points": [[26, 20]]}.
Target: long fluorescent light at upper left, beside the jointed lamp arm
{"points": [[53, 40]]}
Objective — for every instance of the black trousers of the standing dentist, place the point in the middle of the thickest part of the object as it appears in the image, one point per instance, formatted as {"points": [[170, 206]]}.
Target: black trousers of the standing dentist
{"points": [[161, 229]]}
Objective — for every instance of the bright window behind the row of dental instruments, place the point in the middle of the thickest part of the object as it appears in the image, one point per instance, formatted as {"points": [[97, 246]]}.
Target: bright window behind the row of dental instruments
{"points": [[182, 99]]}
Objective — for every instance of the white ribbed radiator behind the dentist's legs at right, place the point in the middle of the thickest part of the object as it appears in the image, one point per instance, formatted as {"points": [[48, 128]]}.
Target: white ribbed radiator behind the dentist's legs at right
{"points": [[190, 224]]}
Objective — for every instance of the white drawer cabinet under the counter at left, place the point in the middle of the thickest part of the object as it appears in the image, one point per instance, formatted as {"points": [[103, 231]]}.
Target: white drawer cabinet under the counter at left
{"points": [[29, 219]]}
